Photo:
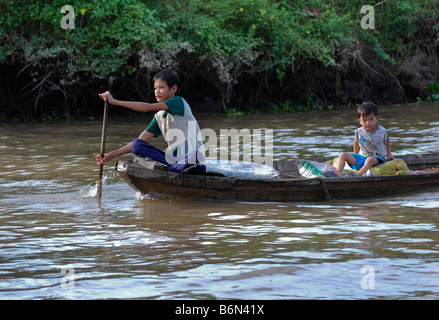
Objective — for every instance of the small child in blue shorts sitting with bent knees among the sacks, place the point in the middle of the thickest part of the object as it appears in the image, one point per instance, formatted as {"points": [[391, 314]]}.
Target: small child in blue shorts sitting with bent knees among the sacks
{"points": [[371, 145]]}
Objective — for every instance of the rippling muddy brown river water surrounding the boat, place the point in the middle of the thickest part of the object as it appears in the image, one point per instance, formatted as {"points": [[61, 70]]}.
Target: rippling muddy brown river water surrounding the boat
{"points": [[58, 241]]}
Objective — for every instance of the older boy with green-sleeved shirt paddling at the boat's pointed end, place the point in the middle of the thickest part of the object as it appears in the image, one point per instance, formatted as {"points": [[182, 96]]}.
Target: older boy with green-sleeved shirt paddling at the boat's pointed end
{"points": [[174, 120]]}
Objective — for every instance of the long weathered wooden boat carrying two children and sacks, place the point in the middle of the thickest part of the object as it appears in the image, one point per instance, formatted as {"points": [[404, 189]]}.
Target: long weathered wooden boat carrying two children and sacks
{"points": [[150, 178]]}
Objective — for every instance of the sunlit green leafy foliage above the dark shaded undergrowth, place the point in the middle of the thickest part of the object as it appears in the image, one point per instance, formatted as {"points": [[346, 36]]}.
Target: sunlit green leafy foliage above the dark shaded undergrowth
{"points": [[224, 39]]}
